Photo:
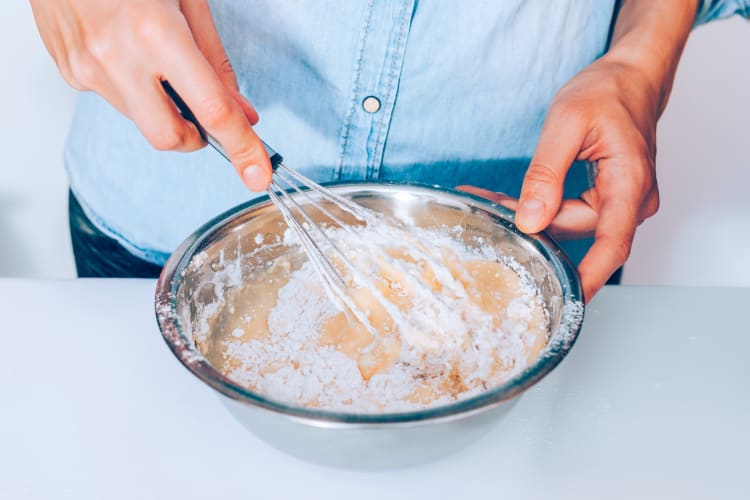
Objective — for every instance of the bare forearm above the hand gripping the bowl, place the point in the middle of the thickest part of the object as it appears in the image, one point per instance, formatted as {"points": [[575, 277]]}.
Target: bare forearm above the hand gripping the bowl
{"points": [[649, 36]]}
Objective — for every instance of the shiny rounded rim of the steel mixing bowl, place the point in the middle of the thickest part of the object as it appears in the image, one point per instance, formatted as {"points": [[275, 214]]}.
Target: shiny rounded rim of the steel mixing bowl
{"points": [[169, 325]]}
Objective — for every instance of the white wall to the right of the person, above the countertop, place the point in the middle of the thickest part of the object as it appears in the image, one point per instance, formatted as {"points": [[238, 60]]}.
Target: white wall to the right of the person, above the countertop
{"points": [[701, 235]]}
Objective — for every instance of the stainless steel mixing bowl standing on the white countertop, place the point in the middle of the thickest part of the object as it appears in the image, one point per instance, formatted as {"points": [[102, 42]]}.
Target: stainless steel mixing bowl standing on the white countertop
{"points": [[188, 286]]}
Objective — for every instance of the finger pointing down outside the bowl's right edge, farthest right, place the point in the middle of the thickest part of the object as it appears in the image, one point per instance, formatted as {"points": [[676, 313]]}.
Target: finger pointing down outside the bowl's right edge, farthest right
{"points": [[614, 234]]}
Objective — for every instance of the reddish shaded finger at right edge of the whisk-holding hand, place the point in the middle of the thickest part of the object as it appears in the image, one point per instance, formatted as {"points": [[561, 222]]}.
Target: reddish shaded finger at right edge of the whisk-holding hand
{"points": [[200, 20]]}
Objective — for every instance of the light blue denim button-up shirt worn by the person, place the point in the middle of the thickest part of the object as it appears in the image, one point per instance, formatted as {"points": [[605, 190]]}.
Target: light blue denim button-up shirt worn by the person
{"points": [[462, 89]]}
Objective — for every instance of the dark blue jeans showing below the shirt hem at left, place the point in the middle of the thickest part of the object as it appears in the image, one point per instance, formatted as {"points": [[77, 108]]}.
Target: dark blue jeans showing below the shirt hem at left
{"points": [[99, 256]]}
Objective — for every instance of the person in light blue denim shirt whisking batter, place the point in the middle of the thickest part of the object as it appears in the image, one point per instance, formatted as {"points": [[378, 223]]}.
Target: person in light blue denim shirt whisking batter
{"points": [[505, 99]]}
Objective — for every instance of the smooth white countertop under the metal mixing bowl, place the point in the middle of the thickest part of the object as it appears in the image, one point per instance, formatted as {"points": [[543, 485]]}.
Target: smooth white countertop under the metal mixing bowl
{"points": [[652, 402]]}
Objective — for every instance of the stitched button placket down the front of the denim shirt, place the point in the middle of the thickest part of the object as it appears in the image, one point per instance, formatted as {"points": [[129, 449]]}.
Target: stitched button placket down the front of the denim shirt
{"points": [[377, 72]]}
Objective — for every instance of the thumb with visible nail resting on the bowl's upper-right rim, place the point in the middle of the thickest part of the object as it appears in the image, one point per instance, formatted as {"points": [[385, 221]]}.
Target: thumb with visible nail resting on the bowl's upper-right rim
{"points": [[541, 194]]}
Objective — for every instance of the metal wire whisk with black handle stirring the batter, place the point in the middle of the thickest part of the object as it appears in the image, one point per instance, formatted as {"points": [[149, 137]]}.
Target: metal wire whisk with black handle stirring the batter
{"points": [[315, 242]]}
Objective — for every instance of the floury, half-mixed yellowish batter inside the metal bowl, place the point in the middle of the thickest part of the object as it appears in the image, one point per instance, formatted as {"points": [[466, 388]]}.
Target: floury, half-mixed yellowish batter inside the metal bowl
{"points": [[441, 324]]}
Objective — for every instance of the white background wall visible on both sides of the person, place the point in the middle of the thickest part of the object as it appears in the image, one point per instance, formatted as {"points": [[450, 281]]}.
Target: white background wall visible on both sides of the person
{"points": [[701, 235]]}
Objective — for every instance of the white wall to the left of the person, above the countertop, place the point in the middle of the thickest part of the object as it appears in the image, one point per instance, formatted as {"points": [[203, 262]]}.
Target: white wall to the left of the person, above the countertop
{"points": [[36, 109]]}
